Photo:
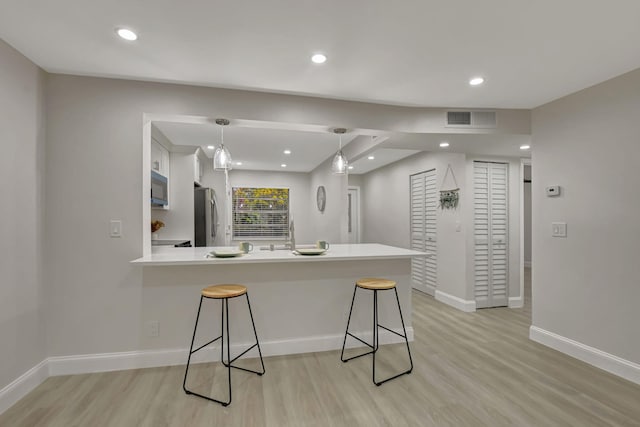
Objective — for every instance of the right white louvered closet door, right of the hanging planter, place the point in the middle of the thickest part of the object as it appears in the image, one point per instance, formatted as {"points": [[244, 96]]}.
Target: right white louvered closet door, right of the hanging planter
{"points": [[491, 234]]}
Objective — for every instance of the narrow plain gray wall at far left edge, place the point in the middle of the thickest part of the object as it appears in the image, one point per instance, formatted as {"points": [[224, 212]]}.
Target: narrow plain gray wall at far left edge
{"points": [[22, 292]]}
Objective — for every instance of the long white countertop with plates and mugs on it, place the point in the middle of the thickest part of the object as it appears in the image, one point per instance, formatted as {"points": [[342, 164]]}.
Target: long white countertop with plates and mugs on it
{"points": [[198, 256]]}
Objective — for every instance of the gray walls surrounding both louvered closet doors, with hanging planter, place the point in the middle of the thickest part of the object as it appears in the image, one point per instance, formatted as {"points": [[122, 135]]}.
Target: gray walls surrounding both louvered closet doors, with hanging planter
{"points": [[389, 187]]}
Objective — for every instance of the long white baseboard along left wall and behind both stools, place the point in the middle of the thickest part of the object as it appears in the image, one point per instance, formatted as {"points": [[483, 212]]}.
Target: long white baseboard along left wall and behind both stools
{"points": [[105, 362]]}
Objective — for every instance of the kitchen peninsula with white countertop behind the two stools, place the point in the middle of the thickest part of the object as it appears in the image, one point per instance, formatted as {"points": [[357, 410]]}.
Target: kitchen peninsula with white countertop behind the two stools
{"points": [[300, 303]]}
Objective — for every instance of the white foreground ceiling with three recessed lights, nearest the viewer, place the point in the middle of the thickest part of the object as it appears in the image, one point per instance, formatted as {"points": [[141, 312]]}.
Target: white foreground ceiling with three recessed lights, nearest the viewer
{"points": [[413, 52]]}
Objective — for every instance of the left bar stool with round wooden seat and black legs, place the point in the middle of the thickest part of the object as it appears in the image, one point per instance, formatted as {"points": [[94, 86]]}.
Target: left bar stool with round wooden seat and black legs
{"points": [[223, 293]]}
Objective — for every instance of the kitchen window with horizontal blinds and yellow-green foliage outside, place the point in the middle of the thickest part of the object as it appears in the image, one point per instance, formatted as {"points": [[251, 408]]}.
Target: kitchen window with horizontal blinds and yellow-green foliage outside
{"points": [[260, 213]]}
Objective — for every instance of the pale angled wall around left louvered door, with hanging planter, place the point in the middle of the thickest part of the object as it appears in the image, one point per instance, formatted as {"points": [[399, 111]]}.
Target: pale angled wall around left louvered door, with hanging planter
{"points": [[385, 213]]}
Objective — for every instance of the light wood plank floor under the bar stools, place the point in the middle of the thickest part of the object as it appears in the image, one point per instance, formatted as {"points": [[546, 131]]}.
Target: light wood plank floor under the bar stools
{"points": [[471, 369]]}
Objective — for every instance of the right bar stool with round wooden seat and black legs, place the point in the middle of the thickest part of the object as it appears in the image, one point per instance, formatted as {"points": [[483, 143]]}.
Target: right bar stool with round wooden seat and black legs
{"points": [[376, 285]]}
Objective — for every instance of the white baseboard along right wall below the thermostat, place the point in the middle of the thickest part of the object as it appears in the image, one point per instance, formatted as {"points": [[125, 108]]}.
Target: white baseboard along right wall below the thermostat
{"points": [[608, 362]]}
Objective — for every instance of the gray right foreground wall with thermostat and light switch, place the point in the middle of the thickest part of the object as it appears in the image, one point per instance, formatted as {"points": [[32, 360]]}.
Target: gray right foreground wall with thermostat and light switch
{"points": [[585, 286]]}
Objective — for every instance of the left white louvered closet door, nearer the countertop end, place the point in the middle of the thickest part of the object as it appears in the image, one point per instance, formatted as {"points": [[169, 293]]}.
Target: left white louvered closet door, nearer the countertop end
{"points": [[423, 230]]}
